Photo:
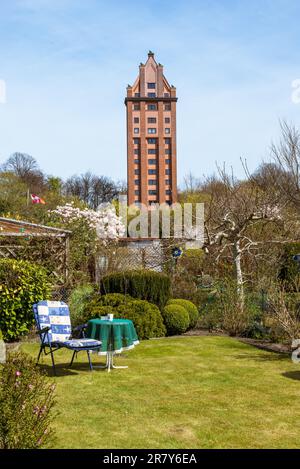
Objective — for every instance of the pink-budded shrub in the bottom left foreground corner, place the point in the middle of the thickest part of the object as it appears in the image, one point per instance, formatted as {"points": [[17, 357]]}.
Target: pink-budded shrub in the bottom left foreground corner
{"points": [[26, 401]]}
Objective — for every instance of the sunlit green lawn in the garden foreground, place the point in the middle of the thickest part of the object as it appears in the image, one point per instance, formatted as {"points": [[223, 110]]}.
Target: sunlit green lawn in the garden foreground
{"points": [[189, 392]]}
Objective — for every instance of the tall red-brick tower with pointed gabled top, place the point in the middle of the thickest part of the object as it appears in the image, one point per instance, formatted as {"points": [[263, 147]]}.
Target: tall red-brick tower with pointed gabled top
{"points": [[151, 136]]}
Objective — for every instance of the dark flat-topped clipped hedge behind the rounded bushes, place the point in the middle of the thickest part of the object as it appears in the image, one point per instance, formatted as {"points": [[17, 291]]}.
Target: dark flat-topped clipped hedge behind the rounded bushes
{"points": [[142, 284]]}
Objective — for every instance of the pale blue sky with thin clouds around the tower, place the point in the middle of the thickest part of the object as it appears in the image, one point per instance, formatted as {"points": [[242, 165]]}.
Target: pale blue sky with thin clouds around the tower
{"points": [[66, 65]]}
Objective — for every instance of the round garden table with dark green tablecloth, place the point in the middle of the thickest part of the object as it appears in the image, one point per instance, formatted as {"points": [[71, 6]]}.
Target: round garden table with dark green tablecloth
{"points": [[116, 336]]}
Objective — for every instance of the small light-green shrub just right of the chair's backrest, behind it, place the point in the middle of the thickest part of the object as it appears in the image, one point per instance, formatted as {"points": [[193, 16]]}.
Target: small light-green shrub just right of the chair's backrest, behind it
{"points": [[78, 302]]}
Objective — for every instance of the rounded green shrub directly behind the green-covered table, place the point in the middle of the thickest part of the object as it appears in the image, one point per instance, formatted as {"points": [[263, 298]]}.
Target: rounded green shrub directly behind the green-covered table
{"points": [[146, 317]]}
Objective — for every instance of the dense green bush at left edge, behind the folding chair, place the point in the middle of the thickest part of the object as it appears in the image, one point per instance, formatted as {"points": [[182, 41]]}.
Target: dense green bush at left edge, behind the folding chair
{"points": [[21, 285]]}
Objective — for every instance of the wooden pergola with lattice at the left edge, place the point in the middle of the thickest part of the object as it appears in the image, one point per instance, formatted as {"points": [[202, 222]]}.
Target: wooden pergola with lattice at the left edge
{"points": [[43, 244]]}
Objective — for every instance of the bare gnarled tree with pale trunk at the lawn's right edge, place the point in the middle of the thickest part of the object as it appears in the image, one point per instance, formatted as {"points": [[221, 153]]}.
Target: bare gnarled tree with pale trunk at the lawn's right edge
{"points": [[234, 212]]}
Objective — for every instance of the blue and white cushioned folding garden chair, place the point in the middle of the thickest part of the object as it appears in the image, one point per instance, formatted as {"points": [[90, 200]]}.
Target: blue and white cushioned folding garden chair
{"points": [[54, 328]]}
